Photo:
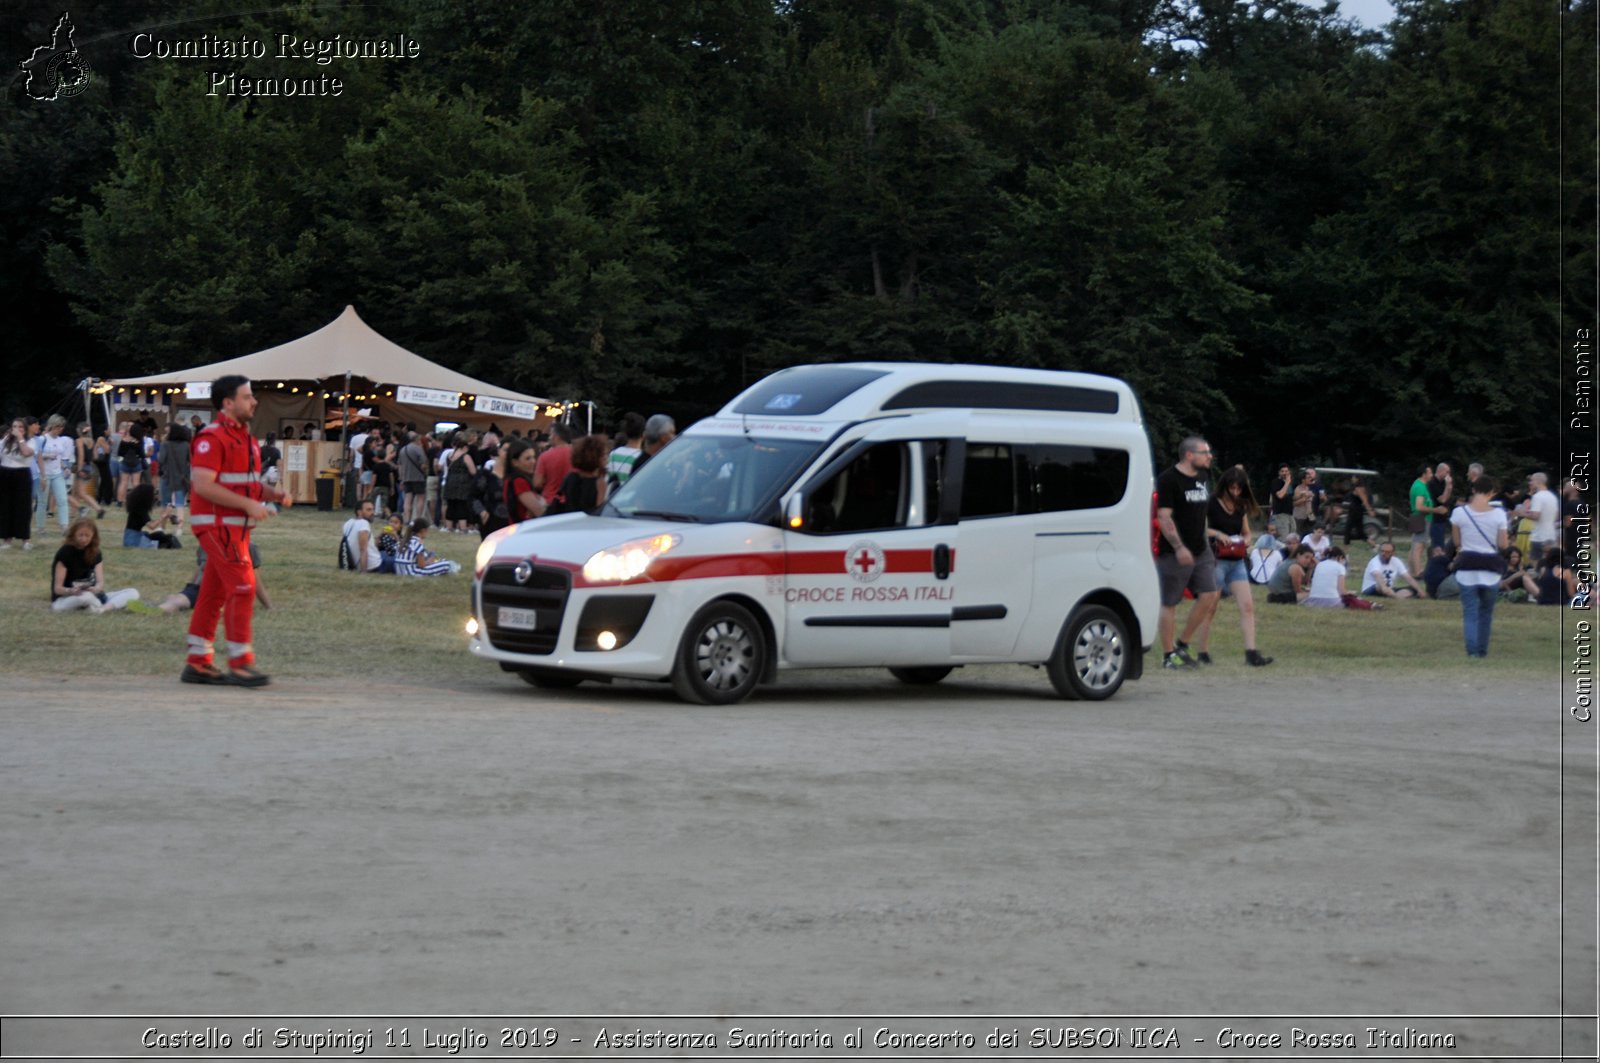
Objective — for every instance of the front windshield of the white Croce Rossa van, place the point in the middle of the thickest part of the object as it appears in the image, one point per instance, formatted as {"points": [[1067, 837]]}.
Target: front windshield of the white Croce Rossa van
{"points": [[713, 478]]}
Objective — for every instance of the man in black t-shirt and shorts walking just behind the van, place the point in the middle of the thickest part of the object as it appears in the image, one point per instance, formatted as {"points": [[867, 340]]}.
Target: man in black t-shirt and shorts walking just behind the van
{"points": [[1183, 558]]}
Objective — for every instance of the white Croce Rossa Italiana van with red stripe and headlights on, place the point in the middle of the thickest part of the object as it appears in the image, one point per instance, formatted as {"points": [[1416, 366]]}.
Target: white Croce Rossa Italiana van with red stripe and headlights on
{"points": [[858, 515]]}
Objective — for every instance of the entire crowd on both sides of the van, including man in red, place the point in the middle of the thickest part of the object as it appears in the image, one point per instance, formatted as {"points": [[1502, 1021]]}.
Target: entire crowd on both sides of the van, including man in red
{"points": [[1481, 542]]}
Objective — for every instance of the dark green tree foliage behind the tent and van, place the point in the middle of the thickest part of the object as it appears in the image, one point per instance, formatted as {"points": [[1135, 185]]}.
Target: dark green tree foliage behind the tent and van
{"points": [[1302, 238]]}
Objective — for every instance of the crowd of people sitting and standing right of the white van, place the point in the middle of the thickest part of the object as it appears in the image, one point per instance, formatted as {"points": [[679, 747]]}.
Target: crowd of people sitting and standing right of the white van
{"points": [[1463, 547]]}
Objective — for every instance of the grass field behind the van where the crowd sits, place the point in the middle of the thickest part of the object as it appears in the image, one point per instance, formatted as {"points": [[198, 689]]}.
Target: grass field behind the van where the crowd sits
{"points": [[335, 625]]}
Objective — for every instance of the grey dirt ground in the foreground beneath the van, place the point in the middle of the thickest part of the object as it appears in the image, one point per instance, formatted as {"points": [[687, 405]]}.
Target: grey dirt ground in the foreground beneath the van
{"points": [[838, 846]]}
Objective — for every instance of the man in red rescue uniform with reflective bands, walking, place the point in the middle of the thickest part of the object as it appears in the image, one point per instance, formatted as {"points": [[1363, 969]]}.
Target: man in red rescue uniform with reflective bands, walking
{"points": [[228, 500]]}
